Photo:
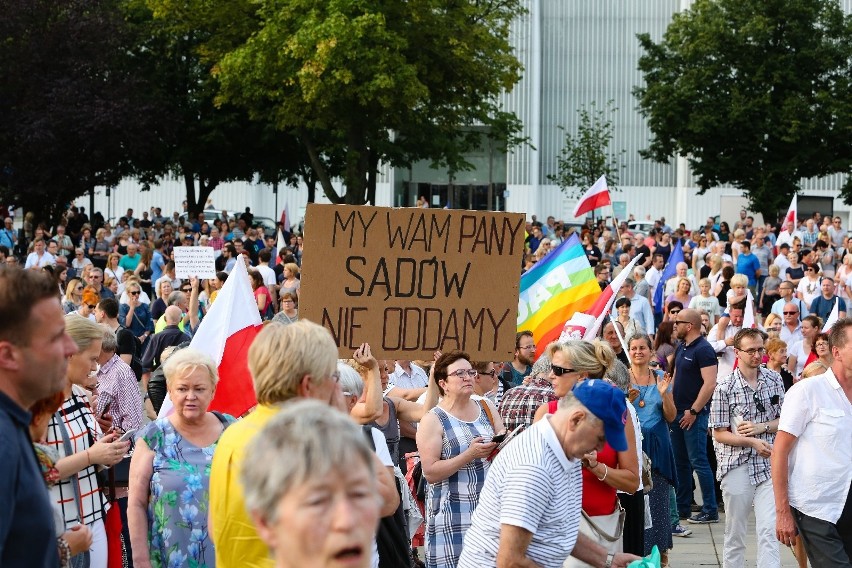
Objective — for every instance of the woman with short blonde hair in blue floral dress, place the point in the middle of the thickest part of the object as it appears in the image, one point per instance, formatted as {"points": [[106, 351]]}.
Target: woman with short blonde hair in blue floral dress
{"points": [[170, 470]]}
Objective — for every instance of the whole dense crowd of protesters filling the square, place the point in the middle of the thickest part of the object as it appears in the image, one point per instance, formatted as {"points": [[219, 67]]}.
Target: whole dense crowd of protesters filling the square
{"points": [[587, 455]]}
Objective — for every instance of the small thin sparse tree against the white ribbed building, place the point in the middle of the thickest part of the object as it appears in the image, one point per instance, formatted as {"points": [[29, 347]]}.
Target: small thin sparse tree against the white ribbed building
{"points": [[585, 157]]}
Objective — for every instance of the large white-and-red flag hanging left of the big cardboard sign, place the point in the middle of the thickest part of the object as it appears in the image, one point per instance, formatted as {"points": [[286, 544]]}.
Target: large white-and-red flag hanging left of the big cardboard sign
{"points": [[226, 333]]}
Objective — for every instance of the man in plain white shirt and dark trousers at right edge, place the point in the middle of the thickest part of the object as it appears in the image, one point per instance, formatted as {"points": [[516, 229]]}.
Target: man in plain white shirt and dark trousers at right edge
{"points": [[811, 472]]}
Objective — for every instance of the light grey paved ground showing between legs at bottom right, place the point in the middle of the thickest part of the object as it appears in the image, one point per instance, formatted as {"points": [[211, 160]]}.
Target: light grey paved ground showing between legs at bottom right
{"points": [[704, 547]]}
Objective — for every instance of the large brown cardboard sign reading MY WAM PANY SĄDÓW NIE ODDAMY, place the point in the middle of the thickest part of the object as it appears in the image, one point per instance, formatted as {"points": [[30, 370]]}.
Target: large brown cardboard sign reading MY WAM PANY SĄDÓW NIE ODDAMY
{"points": [[411, 281]]}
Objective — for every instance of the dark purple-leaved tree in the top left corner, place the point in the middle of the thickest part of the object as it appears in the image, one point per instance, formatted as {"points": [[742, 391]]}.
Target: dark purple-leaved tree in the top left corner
{"points": [[72, 106]]}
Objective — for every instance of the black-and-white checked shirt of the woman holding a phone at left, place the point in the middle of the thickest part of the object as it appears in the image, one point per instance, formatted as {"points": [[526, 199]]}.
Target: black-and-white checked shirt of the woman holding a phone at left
{"points": [[82, 427]]}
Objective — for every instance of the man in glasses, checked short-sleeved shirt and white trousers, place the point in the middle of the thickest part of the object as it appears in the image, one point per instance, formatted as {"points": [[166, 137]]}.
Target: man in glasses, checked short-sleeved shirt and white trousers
{"points": [[744, 416]]}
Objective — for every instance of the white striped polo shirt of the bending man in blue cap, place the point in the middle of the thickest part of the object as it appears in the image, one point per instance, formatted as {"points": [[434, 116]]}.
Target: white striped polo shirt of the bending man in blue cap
{"points": [[532, 485]]}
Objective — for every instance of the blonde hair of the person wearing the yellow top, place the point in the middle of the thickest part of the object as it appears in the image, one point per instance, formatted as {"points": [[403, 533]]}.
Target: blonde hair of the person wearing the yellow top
{"points": [[282, 355]]}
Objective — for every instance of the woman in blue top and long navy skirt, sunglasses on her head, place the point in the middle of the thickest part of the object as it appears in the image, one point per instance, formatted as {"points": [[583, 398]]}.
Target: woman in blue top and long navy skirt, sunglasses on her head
{"points": [[651, 395]]}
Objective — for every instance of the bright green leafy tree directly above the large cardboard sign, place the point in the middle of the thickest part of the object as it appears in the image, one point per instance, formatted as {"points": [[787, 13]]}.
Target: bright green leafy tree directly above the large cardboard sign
{"points": [[369, 81]]}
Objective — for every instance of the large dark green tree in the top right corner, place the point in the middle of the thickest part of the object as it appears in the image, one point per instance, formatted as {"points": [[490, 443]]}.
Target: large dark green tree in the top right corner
{"points": [[755, 93]]}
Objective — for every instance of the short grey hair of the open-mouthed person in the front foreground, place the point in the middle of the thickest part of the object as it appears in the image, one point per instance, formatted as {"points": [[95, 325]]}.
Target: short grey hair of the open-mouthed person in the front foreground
{"points": [[307, 439]]}
